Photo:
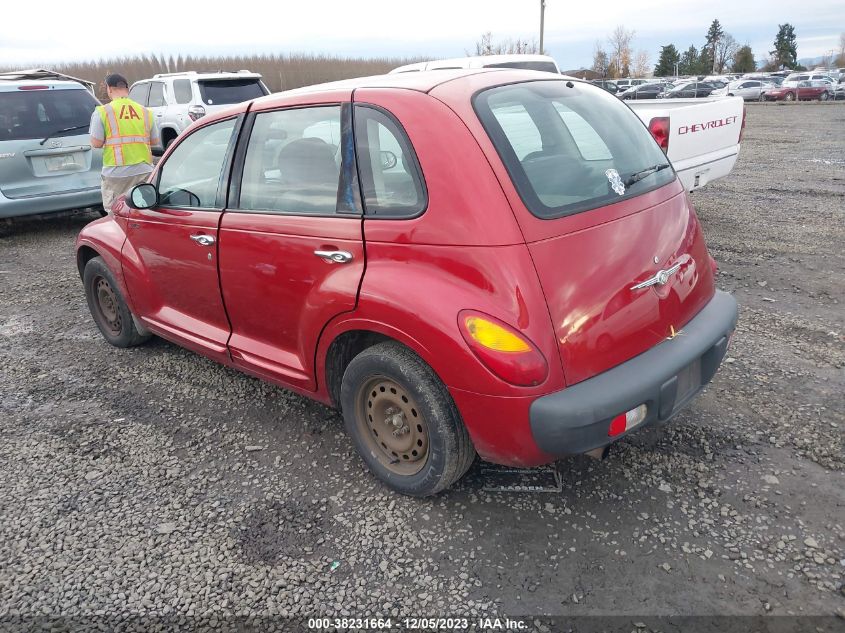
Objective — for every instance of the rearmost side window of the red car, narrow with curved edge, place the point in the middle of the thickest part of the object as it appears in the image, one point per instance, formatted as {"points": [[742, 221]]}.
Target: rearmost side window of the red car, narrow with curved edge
{"points": [[391, 179]]}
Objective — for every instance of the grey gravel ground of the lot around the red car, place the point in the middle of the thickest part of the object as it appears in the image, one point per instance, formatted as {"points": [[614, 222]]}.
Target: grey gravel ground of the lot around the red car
{"points": [[153, 481]]}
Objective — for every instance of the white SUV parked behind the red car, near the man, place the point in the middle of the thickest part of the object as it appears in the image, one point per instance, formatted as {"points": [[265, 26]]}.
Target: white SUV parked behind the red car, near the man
{"points": [[177, 99]]}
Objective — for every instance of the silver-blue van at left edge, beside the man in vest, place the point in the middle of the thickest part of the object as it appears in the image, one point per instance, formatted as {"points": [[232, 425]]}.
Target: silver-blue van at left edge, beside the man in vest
{"points": [[46, 160]]}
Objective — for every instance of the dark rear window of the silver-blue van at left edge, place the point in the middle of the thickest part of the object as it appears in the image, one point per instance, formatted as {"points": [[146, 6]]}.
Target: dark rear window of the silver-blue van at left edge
{"points": [[35, 114]]}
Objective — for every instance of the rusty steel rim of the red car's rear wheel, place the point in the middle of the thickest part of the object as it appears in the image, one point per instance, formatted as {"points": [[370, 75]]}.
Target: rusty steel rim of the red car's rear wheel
{"points": [[392, 426]]}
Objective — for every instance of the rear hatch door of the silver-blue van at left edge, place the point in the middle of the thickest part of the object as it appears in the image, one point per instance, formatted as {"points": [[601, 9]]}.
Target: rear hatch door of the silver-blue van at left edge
{"points": [[44, 143]]}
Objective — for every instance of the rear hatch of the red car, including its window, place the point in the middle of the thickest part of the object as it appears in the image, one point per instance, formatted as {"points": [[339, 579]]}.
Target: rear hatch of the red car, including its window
{"points": [[602, 213]]}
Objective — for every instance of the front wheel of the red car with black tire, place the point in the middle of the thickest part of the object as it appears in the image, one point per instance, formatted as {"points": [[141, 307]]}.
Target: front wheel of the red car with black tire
{"points": [[108, 307]]}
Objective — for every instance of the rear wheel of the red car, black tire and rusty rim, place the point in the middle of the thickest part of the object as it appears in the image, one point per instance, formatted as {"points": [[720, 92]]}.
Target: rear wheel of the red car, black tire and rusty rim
{"points": [[449, 450]]}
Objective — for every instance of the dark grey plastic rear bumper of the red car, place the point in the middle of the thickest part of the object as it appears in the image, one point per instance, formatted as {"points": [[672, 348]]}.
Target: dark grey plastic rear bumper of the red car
{"points": [[576, 419]]}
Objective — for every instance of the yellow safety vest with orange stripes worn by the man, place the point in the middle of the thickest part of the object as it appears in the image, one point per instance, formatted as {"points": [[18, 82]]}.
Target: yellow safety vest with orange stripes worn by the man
{"points": [[128, 127]]}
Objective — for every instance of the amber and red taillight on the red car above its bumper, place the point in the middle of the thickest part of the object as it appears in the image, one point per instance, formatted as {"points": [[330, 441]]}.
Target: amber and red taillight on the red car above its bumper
{"points": [[503, 350]]}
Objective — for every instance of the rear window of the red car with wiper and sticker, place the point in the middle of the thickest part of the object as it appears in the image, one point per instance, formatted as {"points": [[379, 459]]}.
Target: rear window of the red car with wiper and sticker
{"points": [[569, 146]]}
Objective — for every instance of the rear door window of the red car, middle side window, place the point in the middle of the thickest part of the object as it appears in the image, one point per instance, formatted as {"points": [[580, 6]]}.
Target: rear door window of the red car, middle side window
{"points": [[293, 162]]}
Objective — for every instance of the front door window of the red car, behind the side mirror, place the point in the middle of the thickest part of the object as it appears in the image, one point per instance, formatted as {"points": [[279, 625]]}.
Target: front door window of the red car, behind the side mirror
{"points": [[191, 176]]}
